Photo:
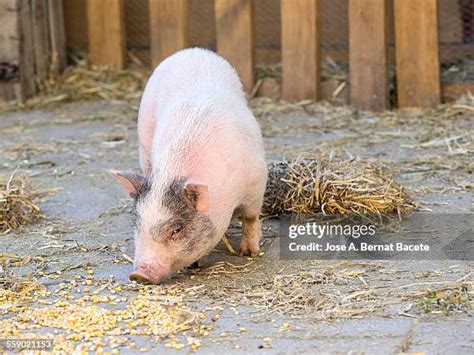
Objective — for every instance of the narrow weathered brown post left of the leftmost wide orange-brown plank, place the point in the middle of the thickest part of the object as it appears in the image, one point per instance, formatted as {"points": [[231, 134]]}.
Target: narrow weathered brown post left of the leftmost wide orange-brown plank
{"points": [[57, 36]]}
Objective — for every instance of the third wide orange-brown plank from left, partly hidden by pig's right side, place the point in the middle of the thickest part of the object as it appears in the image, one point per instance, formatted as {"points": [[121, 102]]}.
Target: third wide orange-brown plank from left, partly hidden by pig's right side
{"points": [[235, 30]]}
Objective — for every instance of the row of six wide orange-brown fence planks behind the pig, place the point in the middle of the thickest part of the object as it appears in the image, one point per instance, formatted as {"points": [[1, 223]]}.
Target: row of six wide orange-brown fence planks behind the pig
{"points": [[413, 22]]}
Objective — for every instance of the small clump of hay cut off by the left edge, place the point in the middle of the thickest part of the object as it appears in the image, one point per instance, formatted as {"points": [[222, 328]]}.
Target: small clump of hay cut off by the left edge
{"points": [[17, 207]]}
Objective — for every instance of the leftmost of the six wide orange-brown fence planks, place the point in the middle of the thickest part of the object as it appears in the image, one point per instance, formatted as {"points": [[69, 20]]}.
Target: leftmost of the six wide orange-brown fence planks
{"points": [[106, 27]]}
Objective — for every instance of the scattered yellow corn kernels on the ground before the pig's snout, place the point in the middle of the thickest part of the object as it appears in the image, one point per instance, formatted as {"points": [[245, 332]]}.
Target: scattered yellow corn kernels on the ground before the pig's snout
{"points": [[101, 321]]}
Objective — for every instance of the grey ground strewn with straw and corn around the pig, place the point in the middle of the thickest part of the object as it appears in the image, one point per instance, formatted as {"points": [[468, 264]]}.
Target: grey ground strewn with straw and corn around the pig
{"points": [[247, 305]]}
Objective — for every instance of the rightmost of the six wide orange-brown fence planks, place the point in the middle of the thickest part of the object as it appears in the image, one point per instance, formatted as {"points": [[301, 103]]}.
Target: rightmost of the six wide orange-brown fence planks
{"points": [[417, 58]]}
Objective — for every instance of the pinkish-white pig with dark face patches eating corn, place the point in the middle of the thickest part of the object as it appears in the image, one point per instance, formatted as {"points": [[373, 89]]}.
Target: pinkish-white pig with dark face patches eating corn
{"points": [[202, 159]]}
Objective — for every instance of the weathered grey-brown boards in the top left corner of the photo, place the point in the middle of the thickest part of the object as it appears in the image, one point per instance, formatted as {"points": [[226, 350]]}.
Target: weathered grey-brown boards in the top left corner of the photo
{"points": [[32, 45]]}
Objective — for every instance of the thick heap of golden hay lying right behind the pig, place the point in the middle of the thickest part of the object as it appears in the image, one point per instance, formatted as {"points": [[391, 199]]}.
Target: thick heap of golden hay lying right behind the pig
{"points": [[309, 185]]}
